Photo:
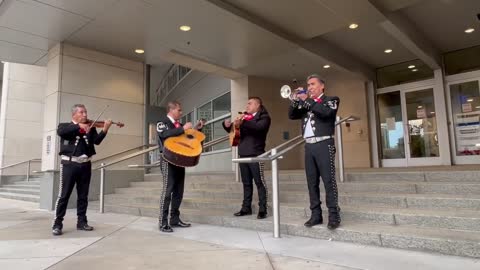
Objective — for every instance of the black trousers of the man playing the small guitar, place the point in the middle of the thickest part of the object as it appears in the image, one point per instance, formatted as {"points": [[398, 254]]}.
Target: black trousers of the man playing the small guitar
{"points": [[249, 172]]}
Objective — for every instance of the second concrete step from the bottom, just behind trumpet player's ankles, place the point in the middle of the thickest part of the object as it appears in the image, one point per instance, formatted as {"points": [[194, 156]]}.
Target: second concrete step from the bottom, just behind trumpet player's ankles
{"points": [[453, 219]]}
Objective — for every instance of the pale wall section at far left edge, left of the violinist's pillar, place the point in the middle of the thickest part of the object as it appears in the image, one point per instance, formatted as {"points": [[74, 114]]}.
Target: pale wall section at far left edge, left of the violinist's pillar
{"points": [[21, 117]]}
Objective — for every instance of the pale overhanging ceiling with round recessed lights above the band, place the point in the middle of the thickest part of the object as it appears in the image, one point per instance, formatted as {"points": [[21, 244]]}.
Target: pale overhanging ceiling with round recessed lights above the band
{"points": [[264, 38]]}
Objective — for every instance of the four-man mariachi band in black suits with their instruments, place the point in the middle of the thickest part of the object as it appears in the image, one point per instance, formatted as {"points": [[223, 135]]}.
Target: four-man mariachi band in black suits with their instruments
{"points": [[180, 146]]}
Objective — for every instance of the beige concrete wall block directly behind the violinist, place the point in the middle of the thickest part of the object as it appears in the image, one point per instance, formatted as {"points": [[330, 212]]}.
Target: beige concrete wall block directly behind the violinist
{"points": [[77, 75]]}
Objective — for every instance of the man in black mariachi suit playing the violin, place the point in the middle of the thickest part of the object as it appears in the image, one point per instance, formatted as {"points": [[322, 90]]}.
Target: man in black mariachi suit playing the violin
{"points": [[77, 140]]}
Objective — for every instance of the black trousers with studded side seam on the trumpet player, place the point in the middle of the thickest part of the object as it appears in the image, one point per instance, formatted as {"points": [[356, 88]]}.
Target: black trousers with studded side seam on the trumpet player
{"points": [[320, 162]]}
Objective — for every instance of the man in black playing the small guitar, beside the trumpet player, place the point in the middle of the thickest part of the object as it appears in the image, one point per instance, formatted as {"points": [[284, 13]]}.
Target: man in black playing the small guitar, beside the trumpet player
{"points": [[254, 125]]}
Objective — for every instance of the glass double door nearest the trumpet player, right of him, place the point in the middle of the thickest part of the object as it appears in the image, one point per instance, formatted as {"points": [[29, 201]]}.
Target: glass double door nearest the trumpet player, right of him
{"points": [[408, 128]]}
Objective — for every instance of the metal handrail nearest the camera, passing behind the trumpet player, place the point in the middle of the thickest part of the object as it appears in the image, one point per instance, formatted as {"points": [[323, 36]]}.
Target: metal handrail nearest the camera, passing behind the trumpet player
{"points": [[273, 155]]}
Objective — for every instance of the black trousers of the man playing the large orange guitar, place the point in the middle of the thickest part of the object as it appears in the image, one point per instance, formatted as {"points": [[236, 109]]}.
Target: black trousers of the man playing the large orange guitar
{"points": [[172, 192]]}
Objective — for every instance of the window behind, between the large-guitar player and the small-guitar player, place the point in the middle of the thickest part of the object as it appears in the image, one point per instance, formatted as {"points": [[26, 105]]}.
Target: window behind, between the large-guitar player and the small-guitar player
{"points": [[215, 112]]}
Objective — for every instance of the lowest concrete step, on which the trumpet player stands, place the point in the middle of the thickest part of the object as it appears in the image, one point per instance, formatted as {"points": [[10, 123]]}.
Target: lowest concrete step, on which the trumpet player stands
{"points": [[443, 241]]}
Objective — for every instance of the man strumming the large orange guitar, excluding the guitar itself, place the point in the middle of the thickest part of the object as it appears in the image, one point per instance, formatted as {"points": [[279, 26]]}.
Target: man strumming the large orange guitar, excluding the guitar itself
{"points": [[173, 176]]}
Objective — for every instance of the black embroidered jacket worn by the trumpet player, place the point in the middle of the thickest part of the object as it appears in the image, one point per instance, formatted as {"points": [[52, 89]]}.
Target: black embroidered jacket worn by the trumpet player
{"points": [[322, 115]]}
